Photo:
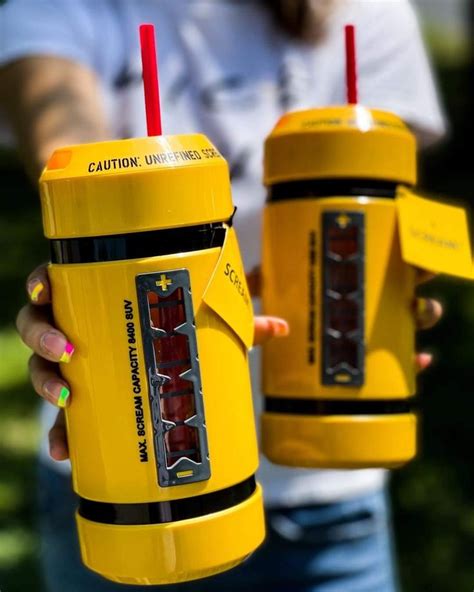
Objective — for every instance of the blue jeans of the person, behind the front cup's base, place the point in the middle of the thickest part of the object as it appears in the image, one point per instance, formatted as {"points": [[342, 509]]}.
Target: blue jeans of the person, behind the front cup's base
{"points": [[338, 547]]}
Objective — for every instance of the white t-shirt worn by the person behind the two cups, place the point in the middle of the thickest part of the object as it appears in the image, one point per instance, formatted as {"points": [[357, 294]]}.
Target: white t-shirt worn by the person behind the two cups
{"points": [[227, 71]]}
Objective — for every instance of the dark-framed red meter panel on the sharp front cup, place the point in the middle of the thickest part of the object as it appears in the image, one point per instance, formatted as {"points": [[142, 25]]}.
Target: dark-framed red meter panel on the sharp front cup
{"points": [[169, 342]]}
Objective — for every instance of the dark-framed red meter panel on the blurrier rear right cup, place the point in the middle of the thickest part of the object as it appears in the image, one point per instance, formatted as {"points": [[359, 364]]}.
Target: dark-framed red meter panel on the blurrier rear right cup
{"points": [[343, 298]]}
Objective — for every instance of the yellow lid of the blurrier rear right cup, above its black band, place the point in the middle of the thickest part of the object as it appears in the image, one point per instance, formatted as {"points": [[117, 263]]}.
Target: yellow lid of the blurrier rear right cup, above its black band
{"points": [[333, 142]]}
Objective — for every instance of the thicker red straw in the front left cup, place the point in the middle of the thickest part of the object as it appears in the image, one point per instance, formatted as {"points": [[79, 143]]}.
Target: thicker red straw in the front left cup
{"points": [[150, 80]]}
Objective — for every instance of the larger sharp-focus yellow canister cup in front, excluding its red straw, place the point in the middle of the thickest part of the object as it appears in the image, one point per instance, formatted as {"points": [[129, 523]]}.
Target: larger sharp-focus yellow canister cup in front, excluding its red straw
{"points": [[160, 427]]}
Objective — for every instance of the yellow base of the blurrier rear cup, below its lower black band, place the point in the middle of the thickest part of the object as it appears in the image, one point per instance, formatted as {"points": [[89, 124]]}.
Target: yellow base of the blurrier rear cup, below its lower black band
{"points": [[351, 442]]}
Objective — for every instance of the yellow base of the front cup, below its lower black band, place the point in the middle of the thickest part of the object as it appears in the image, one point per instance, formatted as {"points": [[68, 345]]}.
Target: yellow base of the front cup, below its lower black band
{"points": [[176, 551]]}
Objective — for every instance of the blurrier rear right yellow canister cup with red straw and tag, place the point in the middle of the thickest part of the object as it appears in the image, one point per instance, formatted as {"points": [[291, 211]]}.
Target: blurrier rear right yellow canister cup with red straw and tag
{"points": [[342, 233]]}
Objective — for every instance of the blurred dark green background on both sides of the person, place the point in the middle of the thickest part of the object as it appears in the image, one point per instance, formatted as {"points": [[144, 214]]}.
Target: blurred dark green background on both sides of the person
{"points": [[433, 497]]}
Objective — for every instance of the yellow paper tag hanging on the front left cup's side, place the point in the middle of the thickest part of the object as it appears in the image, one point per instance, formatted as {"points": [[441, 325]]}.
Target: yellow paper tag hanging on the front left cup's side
{"points": [[227, 292]]}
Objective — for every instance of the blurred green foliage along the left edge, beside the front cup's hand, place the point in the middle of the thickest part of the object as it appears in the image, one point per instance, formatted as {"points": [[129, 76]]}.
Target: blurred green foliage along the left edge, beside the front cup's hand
{"points": [[22, 247]]}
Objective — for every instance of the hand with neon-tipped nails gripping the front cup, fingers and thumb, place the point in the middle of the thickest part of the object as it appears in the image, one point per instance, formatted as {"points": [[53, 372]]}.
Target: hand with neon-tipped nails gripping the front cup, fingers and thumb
{"points": [[51, 348]]}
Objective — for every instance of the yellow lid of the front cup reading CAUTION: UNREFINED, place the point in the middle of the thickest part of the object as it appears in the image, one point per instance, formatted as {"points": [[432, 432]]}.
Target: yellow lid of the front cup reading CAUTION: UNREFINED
{"points": [[172, 180]]}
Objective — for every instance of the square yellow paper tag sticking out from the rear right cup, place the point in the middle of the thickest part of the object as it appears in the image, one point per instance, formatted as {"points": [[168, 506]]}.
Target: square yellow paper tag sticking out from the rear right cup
{"points": [[434, 235]]}
